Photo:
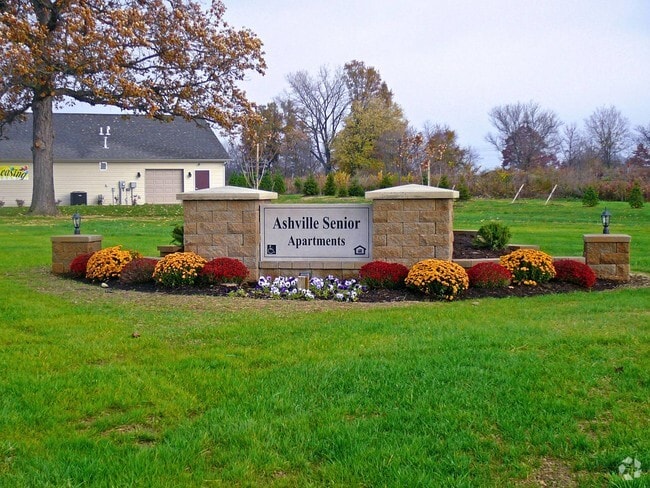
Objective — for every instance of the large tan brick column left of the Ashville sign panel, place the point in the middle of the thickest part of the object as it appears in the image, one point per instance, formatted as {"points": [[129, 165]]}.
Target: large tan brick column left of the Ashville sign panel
{"points": [[225, 222]]}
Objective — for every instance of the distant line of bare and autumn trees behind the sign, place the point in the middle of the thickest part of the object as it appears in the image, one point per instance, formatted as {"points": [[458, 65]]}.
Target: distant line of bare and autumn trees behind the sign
{"points": [[346, 122]]}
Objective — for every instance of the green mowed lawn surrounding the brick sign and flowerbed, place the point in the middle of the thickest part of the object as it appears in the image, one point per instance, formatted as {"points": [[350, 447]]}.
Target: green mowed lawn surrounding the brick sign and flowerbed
{"points": [[241, 392]]}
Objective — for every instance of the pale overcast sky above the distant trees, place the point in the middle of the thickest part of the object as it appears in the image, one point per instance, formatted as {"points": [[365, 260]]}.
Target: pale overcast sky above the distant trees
{"points": [[450, 61]]}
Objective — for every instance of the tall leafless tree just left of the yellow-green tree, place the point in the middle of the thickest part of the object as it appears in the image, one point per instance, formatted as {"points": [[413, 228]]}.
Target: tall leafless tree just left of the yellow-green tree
{"points": [[321, 103]]}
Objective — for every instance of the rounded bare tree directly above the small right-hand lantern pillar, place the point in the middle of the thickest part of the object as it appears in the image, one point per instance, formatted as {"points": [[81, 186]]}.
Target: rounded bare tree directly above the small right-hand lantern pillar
{"points": [[609, 133]]}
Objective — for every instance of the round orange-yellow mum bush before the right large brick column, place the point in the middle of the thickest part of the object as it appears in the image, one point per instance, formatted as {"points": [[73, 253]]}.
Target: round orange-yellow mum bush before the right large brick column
{"points": [[437, 278]]}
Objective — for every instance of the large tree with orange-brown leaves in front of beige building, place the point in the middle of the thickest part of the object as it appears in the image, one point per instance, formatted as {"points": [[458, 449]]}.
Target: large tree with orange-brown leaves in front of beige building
{"points": [[161, 58]]}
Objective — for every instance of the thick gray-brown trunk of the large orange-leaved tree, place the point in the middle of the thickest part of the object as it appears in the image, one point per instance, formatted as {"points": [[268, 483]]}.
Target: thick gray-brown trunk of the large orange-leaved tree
{"points": [[43, 202]]}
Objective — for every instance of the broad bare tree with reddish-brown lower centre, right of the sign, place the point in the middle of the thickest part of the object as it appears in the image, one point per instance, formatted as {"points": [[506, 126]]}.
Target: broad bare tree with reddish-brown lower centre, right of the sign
{"points": [[526, 135]]}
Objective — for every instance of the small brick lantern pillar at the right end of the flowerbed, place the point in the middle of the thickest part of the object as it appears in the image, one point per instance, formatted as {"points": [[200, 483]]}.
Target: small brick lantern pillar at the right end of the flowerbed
{"points": [[608, 255]]}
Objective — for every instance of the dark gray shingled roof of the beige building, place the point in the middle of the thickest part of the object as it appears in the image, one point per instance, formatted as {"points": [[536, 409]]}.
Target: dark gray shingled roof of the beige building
{"points": [[133, 138]]}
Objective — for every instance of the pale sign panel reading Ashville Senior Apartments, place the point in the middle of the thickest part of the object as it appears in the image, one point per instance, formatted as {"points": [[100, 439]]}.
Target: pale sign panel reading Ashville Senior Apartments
{"points": [[316, 232]]}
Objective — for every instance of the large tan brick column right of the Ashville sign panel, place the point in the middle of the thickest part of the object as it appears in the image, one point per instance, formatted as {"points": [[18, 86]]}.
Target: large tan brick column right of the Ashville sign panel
{"points": [[412, 223]]}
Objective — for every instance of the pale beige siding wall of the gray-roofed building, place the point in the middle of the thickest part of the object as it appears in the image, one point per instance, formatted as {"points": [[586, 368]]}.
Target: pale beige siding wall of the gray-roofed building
{"points": [[87, 177]]}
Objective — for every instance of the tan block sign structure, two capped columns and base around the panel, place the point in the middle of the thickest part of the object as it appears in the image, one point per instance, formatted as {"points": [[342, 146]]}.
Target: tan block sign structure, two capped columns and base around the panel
{"points": [[409, 223]]}
